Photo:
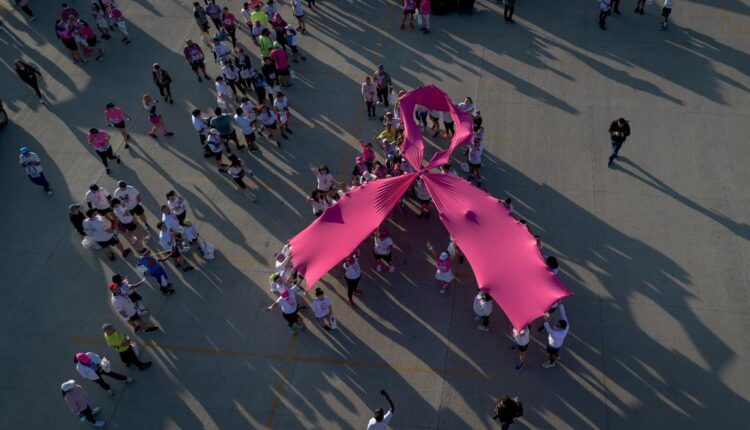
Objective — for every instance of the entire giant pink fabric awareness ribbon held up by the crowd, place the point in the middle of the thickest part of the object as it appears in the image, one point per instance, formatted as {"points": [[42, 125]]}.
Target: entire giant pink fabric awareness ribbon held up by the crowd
{"points": [[500, 250]]}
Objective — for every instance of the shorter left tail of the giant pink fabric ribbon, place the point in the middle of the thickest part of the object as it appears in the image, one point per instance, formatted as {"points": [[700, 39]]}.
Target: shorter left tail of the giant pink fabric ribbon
{"points": [[342, 227]]}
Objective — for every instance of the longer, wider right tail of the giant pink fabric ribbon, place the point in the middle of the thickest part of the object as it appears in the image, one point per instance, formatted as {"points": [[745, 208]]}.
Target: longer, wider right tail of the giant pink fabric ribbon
{"points": [[501, 251]]}
